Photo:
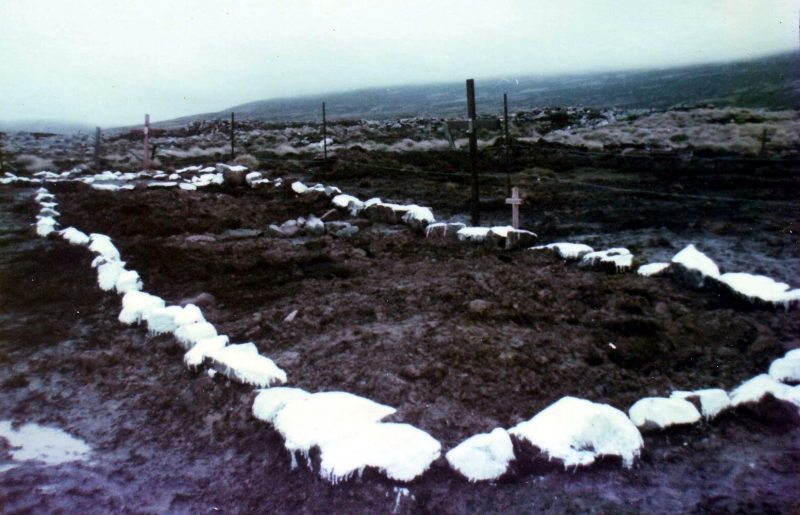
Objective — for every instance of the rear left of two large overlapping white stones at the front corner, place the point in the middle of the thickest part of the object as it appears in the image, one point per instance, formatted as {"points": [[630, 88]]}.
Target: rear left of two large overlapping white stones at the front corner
{"points": [[325, 416]]}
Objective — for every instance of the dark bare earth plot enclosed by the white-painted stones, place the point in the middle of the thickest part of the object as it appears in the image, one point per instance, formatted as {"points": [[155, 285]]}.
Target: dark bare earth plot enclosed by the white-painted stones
{"points": [[460, 339]]}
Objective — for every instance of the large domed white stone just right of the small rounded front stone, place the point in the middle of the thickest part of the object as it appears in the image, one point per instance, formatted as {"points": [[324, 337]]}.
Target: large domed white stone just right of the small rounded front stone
{"points": [[578, 431]]}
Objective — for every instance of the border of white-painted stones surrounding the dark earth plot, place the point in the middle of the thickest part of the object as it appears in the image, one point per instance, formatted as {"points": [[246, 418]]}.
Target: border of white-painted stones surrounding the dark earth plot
{"points": [[479, 457]]}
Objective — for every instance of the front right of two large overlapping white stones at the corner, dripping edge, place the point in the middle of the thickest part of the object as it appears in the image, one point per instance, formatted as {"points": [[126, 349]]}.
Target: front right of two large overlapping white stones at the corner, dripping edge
{"points": [[400, 451]]}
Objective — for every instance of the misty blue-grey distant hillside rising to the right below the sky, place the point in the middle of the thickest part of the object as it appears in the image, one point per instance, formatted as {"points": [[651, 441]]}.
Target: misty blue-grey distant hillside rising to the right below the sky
{"points": [[771, 82]]}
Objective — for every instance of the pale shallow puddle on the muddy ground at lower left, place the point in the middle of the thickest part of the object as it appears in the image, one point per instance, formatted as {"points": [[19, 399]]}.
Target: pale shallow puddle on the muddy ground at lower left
{"points": [[32, 442]]}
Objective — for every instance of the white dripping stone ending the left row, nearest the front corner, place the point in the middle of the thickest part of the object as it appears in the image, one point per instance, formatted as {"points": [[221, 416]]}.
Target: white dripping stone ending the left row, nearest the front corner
{"points": [[242, 363]]}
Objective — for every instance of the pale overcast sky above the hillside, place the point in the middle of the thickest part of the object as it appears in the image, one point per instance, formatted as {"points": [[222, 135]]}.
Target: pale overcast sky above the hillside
{"points": [[106, 62]]}
